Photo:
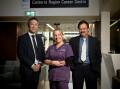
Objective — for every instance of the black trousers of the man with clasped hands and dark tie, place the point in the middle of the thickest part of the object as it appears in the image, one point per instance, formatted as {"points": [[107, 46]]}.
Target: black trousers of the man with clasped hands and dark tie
{"points": [[29, 79]]}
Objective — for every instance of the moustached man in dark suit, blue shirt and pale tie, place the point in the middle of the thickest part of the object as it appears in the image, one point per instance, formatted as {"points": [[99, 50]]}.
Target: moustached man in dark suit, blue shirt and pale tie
{"points": [[87, 58]]}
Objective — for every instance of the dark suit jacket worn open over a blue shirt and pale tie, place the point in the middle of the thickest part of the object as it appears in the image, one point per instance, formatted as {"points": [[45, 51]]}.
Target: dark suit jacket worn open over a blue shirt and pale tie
{"points": [[94, 52]]}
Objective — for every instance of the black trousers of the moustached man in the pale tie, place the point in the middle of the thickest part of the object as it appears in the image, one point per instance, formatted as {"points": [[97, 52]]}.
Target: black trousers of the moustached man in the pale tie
{"points": [[83, 72]]}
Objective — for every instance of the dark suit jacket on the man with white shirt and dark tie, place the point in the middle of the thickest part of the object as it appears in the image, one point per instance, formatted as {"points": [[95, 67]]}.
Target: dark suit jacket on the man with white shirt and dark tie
{"points": [[25, 51]]}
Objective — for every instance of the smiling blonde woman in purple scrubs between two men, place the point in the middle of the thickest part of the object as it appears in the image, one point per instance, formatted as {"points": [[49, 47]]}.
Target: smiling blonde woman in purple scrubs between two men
{"points": [[58, 57]]}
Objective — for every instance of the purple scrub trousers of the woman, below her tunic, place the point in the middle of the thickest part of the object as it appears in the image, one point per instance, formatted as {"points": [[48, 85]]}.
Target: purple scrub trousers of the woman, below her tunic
{"points": [[59, 85]]}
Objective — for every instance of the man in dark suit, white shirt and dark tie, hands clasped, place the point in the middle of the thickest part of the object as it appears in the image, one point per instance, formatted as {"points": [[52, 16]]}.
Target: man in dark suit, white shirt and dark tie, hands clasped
{"points": [[31, 54]]}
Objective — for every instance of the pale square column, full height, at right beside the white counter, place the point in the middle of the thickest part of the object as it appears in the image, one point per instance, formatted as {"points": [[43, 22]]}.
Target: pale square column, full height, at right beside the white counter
{"points": [[105, 47]]}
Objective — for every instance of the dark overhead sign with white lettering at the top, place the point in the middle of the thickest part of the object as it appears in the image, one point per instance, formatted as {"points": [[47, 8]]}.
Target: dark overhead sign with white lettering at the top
{"points": [[58, 3]]}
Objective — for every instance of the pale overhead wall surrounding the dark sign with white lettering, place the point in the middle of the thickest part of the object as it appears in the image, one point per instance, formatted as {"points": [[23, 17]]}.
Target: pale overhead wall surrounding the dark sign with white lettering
{"points": [[17, 8]]}
